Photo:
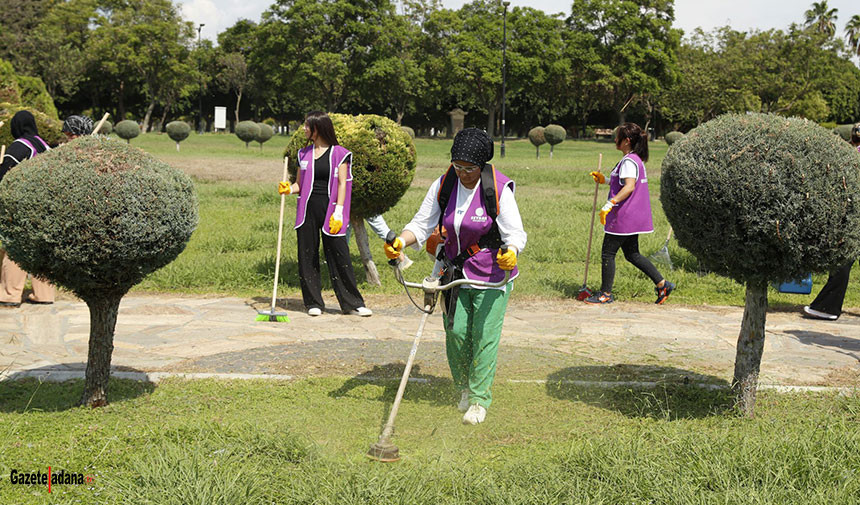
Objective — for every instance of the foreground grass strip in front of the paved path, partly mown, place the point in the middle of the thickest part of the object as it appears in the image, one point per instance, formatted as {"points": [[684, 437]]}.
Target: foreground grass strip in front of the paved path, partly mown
{"points": [[221, 442]]}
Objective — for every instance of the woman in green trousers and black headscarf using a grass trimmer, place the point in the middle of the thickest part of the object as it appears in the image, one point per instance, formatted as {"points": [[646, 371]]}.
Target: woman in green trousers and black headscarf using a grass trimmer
{"points": [[473, 322]]}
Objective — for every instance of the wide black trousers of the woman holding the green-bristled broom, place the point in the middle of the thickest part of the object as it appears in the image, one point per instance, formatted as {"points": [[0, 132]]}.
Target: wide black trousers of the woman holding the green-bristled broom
{"points": [[336, 255]]}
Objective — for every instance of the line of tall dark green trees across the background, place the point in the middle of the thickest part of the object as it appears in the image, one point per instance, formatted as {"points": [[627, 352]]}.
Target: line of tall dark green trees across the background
{"points": [[609, 61]]}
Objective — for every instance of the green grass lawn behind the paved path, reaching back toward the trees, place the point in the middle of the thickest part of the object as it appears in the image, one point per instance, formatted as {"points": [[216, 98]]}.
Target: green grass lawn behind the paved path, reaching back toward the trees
{"points": [[232, 252]]}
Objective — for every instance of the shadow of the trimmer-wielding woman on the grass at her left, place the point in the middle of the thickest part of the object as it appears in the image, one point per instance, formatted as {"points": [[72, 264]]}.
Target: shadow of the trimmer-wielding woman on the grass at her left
{"points": [[437, 391]]}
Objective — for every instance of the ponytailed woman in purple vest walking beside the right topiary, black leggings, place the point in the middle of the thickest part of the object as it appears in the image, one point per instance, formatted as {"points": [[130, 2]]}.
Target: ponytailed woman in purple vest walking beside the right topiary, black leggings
{"points": [[627, 213]]}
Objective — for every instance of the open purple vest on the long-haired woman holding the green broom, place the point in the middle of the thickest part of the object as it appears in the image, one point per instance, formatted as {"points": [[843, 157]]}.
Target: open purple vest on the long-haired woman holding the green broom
{"points": [[338, 155]]}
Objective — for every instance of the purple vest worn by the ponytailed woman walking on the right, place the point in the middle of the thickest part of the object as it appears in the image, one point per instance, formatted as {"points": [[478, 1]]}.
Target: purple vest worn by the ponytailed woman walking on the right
{"points": [[633, 215]]}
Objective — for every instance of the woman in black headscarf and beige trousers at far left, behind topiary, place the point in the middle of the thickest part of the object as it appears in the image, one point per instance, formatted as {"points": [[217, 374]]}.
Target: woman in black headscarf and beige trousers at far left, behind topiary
{"points": [[27, 144]]}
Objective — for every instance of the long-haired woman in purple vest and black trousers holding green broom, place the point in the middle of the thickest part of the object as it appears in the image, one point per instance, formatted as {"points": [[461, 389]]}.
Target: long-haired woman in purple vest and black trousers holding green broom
{"points": [[324, 187]]}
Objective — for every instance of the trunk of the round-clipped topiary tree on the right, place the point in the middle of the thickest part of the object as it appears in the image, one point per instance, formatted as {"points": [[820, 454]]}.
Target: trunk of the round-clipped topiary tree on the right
{"points": [[750, 347]]}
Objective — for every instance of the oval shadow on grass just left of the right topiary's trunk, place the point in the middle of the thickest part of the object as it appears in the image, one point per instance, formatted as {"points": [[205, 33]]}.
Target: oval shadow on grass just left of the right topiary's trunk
{"points": [[643, 391]]}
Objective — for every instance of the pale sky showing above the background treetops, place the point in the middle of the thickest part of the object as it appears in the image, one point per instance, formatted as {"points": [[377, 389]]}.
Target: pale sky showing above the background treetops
{"points": [[217, 15]]}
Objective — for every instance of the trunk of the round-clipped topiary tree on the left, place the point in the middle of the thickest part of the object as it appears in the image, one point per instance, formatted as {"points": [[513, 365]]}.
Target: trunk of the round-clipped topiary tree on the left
{"points": [[103, 314]]}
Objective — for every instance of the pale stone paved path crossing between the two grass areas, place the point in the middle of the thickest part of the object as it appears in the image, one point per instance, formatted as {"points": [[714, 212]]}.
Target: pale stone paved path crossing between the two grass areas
{"points": [[540, 340]]}
